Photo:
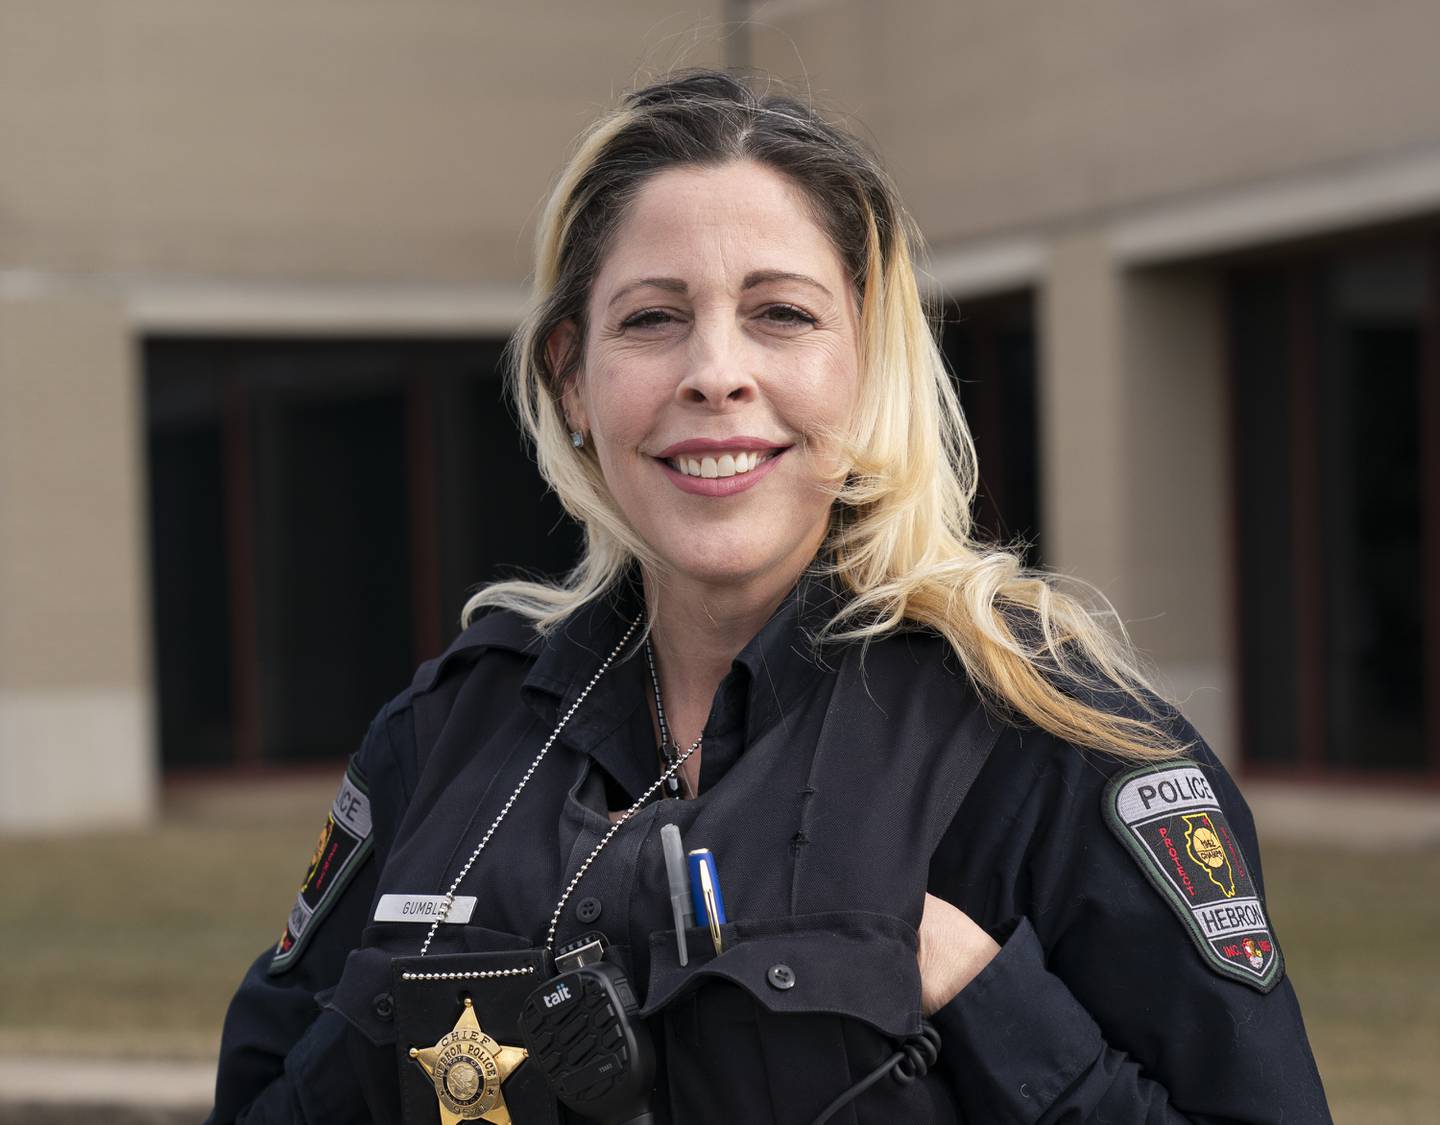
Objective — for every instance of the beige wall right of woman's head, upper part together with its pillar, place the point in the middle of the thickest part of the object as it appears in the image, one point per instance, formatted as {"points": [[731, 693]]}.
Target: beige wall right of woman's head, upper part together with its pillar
{"points": [[1102, 155]]}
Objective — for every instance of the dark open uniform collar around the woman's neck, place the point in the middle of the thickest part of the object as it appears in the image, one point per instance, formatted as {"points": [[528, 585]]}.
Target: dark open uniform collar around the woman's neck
{"points": [[778, 668]]}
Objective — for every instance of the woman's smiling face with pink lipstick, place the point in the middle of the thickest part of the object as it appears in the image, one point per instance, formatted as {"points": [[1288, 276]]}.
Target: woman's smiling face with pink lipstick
{"points": [[724, 344]]}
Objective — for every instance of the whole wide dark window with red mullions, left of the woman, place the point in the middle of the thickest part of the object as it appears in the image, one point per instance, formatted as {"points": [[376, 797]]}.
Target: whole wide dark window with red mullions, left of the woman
{"points": [[319, 512]]}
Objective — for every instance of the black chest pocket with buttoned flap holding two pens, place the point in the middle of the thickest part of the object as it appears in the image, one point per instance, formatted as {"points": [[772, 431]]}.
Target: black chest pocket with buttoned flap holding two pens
{"points": [[788, 1018]]}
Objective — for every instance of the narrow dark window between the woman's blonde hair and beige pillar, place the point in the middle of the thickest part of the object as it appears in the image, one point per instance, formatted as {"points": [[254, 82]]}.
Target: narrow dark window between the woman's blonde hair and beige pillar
{"points": [[990, 345]]}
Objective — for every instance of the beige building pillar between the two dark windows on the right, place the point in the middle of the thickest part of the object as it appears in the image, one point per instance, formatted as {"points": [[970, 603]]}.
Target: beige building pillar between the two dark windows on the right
{"points": [[1135, 463]]}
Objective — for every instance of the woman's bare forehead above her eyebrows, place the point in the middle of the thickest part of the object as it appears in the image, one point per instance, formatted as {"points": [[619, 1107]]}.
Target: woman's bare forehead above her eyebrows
{"points": [[731, 224]]}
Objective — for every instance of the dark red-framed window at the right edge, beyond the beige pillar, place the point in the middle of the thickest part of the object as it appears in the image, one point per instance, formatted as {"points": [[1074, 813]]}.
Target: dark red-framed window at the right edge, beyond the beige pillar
{"points": [[1334, 359]]}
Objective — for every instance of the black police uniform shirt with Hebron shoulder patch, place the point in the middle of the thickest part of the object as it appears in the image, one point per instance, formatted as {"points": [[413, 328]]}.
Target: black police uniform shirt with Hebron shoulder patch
{"points": [[1107, 1002]]}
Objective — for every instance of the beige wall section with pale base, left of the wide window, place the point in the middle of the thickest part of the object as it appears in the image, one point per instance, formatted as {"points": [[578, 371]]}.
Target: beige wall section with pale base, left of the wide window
{"points": [[76, 694]]}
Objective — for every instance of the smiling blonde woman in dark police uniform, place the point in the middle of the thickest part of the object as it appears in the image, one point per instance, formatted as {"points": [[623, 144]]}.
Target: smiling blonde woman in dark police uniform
{"points": [[974, 869]]}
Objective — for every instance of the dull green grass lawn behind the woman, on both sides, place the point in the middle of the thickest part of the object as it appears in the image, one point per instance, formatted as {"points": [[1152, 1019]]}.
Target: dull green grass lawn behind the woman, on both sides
{"points": [[140, 938]]}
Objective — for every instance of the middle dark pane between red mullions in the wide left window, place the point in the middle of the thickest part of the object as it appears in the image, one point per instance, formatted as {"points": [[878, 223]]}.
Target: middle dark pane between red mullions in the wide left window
{"points": [[332, 564]]}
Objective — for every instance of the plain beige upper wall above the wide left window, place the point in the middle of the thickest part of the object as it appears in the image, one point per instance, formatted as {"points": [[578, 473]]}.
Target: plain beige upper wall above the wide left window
{"points": [[310, 140]]}
